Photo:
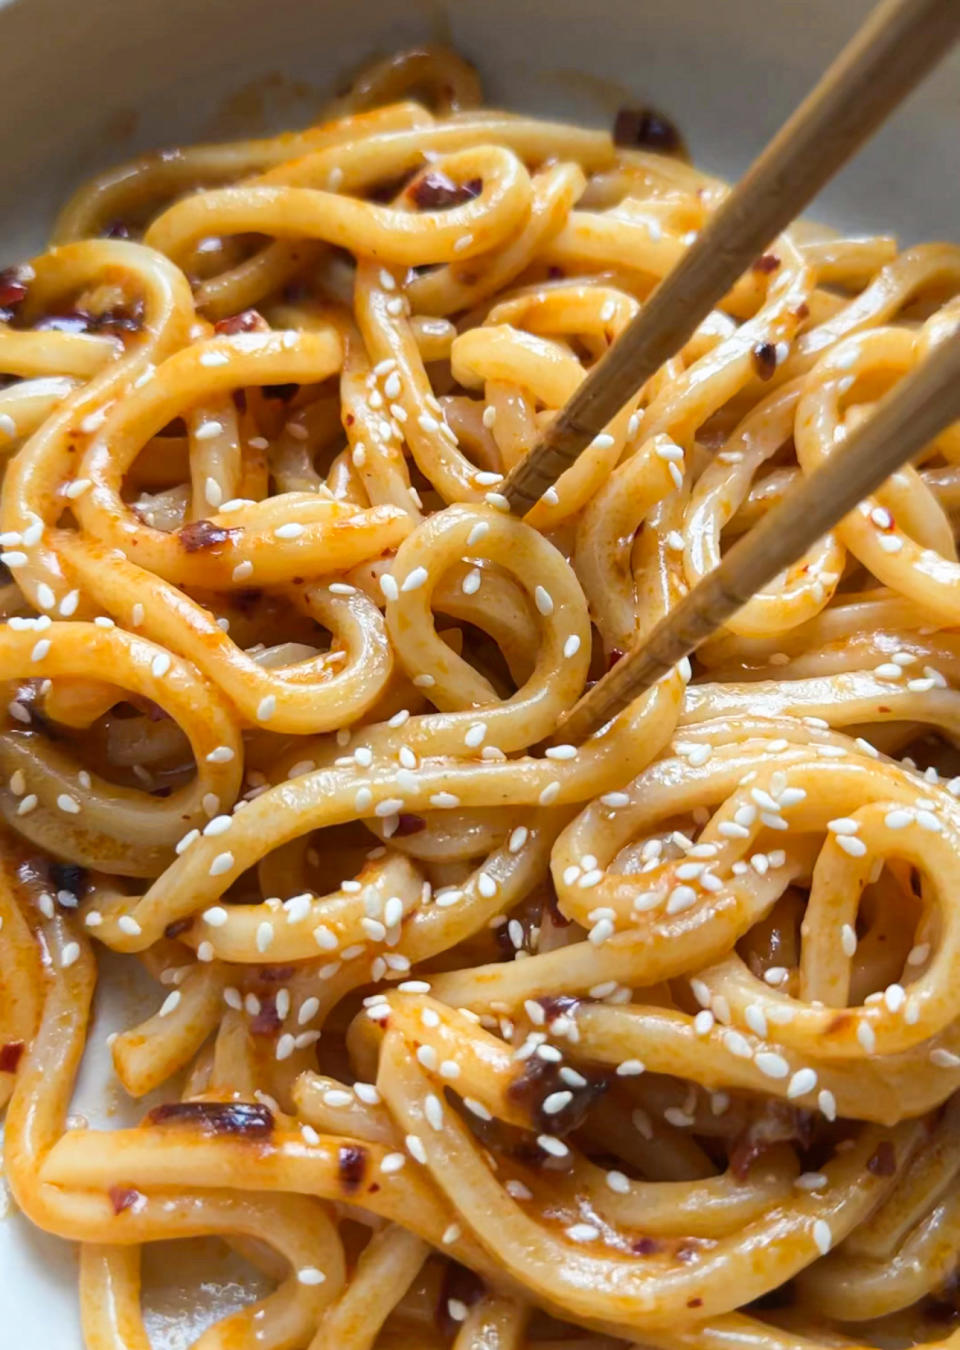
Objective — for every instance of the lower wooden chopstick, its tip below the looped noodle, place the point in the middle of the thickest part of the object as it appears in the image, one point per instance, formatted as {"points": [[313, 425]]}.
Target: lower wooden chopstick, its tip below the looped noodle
{"points": [[904, 422]]}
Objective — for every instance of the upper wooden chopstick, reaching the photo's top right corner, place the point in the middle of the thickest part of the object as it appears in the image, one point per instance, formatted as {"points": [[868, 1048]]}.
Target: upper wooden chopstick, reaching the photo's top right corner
{"points": [[896, 48]]}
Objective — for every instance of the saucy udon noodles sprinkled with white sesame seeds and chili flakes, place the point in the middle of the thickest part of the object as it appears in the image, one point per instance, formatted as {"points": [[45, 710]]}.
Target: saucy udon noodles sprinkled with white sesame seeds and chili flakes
{"points": [[465, 1037]]}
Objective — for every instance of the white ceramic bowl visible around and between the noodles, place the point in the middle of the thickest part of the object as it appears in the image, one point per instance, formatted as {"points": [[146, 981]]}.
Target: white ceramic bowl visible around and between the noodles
{"points": [[88, 84]]}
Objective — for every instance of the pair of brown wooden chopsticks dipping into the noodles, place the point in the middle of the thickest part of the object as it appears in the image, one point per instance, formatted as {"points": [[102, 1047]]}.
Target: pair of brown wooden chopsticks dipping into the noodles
{"points": [[897, 47]]}
